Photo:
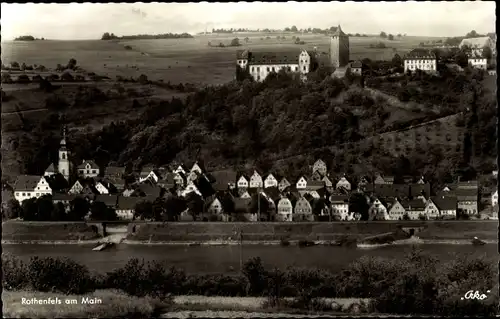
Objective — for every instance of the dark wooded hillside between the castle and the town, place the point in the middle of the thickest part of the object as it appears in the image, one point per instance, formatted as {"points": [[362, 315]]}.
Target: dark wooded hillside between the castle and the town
{"points": [[283, 125]]}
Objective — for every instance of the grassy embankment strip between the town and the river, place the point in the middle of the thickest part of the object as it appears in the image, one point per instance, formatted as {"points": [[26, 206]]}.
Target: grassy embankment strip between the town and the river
{"points": [[207, 233]]}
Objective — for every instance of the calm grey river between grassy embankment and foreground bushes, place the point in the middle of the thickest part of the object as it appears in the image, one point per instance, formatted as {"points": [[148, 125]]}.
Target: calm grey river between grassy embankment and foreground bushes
{"points": [[217, 259]]}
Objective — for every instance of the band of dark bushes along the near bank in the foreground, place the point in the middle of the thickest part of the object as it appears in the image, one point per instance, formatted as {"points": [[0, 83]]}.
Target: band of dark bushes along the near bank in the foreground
{"points": [[418, 284]]}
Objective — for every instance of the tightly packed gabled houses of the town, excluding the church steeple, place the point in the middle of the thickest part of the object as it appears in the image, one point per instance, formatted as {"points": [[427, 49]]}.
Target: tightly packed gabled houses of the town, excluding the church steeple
{"points": [[225, 193]]}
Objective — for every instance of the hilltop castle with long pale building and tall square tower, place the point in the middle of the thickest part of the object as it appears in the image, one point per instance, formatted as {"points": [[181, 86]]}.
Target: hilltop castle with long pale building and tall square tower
{"points": [[261, 64]]}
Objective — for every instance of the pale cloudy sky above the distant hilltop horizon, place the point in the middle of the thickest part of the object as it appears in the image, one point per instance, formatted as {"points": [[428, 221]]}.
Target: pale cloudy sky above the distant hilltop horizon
{"points": [[90, 21]]}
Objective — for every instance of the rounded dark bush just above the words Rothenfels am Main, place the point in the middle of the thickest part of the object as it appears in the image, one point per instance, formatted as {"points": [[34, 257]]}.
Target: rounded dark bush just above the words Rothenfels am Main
{"points": [[59, 275]]}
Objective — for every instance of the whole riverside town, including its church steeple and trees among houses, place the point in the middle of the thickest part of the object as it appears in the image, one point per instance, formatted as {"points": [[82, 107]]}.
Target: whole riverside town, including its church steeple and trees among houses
{"points": [[191, 193]]}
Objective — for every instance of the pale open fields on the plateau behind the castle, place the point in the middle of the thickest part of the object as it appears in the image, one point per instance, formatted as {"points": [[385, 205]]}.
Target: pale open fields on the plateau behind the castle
{"points": [[184, 60]]}
